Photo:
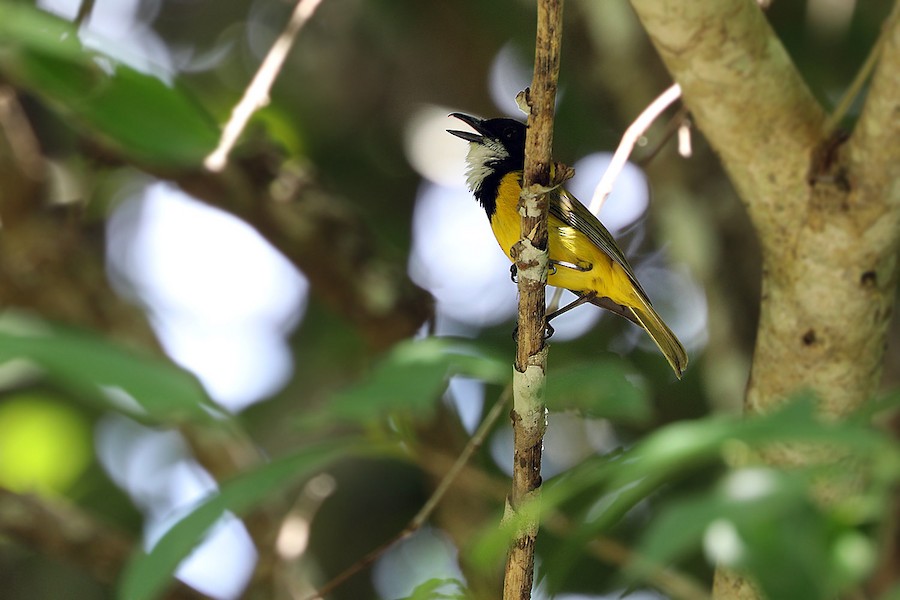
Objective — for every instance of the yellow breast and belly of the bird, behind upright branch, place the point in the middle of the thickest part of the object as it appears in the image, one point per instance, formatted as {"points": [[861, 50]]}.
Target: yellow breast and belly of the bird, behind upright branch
{"points": [[604, 276]]}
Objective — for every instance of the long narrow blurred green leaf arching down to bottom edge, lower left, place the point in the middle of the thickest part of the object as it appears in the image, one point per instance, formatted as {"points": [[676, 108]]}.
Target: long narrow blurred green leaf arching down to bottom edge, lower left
{"points": [[148, 574]]}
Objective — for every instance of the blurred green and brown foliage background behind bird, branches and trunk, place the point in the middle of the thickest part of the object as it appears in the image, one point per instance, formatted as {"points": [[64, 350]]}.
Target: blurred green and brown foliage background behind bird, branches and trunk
{"points": [[303, 406]]}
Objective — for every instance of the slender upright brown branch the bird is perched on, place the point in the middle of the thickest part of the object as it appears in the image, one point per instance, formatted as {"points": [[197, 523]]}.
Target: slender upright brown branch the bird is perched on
{"points": [[528, 414]]}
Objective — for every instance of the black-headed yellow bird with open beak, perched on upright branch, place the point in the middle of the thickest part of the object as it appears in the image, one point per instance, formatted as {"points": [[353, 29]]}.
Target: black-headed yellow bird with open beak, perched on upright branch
{"points": [[584, 256]]}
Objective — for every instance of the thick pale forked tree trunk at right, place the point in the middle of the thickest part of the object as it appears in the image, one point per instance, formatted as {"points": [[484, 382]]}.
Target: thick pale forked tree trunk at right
{"points": [[825, 206]]}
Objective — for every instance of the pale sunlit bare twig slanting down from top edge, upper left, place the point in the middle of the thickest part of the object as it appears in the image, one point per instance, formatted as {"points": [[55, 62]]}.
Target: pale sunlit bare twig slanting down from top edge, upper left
{"points": [[257, 93]]}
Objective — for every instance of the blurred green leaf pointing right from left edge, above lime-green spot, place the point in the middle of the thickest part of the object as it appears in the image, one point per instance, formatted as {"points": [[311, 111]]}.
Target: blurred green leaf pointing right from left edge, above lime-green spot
{"points": [[110, 375]]}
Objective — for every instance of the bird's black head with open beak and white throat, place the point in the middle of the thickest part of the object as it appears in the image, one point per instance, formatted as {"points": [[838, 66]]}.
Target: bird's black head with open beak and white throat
{"points": [[497, 148]]}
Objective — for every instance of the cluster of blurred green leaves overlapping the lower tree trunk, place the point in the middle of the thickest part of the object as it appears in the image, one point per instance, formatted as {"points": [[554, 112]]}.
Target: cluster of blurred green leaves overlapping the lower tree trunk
{"points": [[778, 509]]}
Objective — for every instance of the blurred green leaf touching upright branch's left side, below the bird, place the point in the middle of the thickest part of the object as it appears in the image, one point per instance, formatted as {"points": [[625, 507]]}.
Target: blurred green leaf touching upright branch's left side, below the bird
{"points": [[412, 377]]}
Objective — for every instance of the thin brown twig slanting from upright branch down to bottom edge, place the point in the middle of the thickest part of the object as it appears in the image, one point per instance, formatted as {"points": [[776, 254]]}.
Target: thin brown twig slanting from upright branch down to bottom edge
{"points": [[476, 441]]}
